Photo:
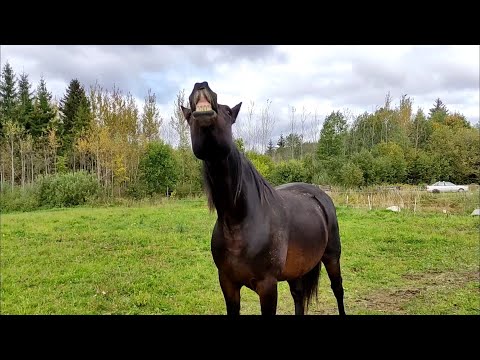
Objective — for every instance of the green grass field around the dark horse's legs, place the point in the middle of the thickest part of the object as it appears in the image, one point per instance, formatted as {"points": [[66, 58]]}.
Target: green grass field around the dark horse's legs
{"points": [[156, 260]]}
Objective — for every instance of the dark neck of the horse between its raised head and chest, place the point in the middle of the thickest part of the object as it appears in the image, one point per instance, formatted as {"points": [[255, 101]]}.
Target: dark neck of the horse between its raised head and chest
{"points": [[231, 199]]}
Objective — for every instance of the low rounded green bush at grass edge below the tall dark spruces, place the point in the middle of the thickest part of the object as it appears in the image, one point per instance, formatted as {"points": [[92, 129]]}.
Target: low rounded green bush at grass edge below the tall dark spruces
{"points": [[63, 190]]}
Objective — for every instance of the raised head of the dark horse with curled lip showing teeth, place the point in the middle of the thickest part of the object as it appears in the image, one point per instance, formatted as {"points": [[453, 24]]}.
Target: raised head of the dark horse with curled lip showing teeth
{"points": [[210, 123]]}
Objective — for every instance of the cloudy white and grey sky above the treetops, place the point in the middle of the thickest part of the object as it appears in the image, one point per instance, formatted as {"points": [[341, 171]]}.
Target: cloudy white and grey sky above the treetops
{"points": [[320, 79]]}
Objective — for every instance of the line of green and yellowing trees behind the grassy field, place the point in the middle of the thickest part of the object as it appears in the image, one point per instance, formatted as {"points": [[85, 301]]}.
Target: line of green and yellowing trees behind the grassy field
{"points": [[137, 152]]}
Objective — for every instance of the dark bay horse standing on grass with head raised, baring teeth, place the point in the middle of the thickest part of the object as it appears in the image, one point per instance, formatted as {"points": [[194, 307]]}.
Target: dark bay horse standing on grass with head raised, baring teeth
{"points": [[263, 234]]}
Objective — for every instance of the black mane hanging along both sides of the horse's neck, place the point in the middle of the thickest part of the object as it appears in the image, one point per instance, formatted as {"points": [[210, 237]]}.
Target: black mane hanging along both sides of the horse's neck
{"points": [[242, 167]]}
